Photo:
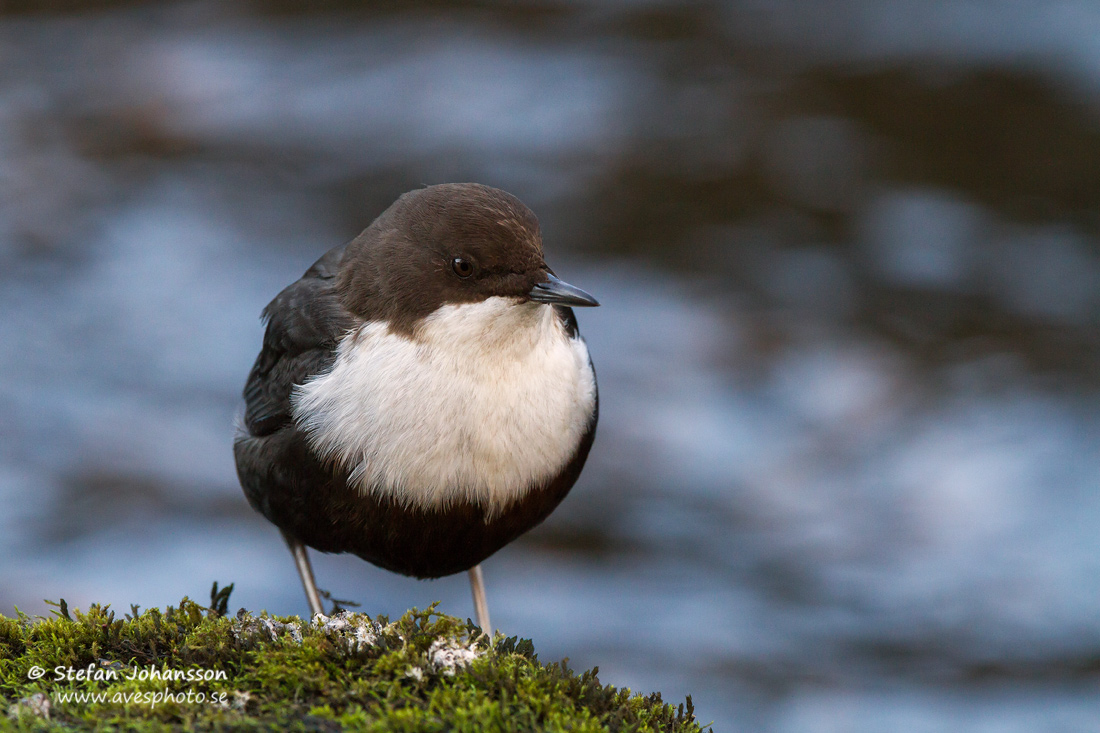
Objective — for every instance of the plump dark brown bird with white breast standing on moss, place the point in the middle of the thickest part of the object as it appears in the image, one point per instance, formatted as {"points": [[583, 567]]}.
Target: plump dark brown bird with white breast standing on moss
{"points": [[423, 396]]}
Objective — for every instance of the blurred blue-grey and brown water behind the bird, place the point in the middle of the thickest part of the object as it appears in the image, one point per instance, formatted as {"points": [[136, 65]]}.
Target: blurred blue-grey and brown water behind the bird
{"points": [[848, 476]]}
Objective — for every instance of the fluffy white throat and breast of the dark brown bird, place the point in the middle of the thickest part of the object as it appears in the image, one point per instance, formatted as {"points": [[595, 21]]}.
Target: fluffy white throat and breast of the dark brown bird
{"points": [[486, 402]]}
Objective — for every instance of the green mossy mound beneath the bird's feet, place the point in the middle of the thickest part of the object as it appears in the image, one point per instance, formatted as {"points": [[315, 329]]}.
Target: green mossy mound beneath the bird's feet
{"points": [[425, 672]]}
